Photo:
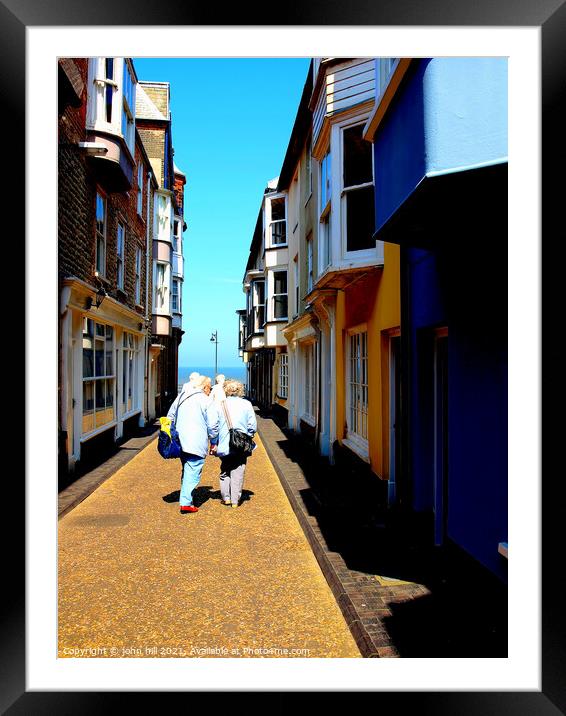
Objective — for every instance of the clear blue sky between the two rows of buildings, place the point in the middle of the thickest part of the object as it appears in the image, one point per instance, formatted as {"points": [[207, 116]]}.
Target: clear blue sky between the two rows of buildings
{"points": [[231, 122]]}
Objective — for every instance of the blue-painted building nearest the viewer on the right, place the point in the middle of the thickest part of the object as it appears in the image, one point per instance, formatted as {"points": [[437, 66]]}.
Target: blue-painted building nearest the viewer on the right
{"points": [[439, 130]]}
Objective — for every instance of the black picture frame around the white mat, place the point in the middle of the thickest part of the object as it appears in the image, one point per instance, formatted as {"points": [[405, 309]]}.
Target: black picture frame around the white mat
{"points": [[550, 16]]}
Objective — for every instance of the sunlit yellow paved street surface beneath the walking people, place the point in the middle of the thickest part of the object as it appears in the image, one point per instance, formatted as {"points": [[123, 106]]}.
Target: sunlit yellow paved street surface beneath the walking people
{"points": [[139, 579]]}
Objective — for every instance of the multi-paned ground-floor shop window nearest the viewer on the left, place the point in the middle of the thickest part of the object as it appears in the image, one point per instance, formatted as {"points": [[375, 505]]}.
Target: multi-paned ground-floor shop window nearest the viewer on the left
{"points": [[98, 375]]}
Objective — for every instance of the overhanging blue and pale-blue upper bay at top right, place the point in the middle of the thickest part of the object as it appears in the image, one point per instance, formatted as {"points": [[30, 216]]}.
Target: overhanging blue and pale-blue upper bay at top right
{"points": [[450, 113]]}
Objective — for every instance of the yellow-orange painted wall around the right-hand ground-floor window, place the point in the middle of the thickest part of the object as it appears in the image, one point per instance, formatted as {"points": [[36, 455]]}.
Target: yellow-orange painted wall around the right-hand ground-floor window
{"points": [[374, 300]]}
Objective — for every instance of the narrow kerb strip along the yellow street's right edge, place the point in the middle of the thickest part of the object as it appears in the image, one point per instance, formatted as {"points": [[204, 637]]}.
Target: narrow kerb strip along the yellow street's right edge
{"points": [[361, 636]]}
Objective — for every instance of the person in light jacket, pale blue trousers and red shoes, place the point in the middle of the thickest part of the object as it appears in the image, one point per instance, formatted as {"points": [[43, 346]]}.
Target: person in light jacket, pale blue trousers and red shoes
{"points": [[196, 421]]}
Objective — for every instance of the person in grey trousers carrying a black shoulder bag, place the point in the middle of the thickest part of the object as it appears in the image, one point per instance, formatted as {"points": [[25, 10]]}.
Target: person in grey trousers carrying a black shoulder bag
{"points": [[238, 412]]}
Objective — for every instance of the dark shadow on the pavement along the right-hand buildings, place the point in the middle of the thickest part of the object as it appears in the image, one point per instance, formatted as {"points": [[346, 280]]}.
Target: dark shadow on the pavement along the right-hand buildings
{"points": [[465, 612]]}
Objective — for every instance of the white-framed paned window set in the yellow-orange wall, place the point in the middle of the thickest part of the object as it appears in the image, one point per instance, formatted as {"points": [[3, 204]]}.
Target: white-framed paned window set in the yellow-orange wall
{"points": [[357, 441]]}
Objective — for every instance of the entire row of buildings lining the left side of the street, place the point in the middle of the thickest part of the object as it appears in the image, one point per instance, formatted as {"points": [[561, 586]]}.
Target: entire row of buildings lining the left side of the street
{"points": [[121, 218]]}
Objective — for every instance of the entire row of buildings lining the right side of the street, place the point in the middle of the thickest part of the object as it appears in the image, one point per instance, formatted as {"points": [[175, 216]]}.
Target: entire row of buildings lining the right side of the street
{"points": [[396, 359]]}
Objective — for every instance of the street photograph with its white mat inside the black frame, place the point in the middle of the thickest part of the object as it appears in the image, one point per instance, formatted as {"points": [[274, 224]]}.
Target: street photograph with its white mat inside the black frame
{"points": [[282, 343]]}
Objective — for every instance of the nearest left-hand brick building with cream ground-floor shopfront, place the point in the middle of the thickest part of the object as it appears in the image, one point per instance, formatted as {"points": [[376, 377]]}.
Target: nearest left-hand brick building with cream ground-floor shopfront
{"points": [[105, 195]]}
